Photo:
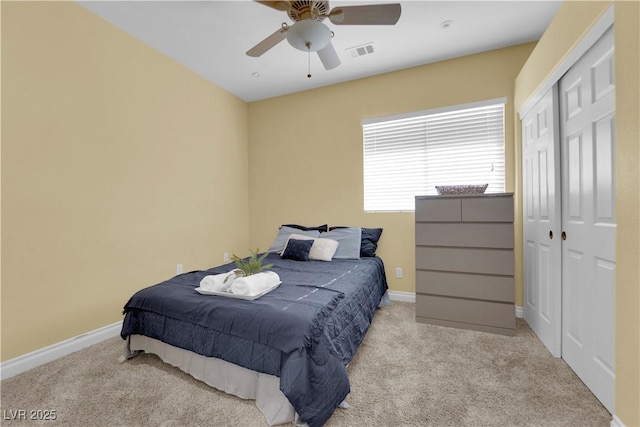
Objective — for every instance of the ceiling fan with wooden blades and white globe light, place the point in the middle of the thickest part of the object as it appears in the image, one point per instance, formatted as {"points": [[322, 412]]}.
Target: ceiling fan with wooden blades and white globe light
{"points": [[309, 34]]}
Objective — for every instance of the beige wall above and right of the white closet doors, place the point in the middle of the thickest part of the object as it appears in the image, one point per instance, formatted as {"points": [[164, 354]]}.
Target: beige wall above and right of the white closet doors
{"points": [[571, 23]]}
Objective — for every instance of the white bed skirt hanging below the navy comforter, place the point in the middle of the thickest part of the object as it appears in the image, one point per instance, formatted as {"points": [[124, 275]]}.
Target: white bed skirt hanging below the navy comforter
{"points": [[224, 376]]}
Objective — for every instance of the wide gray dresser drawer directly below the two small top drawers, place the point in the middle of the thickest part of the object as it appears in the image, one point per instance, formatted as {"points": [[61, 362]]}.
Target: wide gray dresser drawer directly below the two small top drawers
{"points": [[484, 235]]}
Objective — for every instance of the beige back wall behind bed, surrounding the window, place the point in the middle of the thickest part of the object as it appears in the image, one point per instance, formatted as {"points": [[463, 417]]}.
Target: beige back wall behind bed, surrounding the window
{"points": [[306, 148]]}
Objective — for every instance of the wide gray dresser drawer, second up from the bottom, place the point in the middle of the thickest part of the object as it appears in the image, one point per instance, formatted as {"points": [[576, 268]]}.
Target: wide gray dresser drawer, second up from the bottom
{"points": [[494, 288]]}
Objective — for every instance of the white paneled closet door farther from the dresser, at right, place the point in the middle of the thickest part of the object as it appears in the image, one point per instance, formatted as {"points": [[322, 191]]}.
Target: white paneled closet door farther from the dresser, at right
{"points": [[587, 106]]}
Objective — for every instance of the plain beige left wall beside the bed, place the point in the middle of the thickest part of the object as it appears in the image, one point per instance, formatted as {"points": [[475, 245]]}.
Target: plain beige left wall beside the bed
{"points": [[117, 164]]}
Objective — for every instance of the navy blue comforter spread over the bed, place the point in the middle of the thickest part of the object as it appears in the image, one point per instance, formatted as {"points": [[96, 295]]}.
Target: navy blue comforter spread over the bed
{"points": [[305, 332]]}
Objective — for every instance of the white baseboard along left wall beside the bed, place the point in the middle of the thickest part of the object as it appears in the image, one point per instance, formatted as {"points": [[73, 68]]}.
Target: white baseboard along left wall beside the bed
{"points": [[55, 351]]}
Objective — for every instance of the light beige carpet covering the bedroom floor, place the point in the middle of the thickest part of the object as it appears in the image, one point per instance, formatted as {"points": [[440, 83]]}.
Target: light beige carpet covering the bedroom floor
{"points": [[404, 374]]}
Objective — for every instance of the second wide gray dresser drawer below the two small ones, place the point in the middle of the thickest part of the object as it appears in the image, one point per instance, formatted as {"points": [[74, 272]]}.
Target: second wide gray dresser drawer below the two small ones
{"points": [[464, 260]]}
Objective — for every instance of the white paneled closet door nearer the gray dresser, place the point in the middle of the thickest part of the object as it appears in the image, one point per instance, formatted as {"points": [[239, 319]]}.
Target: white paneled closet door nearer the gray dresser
{"points": [[541, 210]]}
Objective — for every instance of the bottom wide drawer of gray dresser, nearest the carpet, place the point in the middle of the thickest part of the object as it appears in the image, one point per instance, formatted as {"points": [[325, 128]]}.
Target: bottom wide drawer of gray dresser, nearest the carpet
{"points": [[466, 311]]}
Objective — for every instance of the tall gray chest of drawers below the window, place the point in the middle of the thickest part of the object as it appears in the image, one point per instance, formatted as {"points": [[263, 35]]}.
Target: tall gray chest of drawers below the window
{"points": [[465, 262]]}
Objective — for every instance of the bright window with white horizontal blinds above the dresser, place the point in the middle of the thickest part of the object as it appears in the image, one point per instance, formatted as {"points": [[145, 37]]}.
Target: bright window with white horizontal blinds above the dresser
{"points": [[408, 155]]}
